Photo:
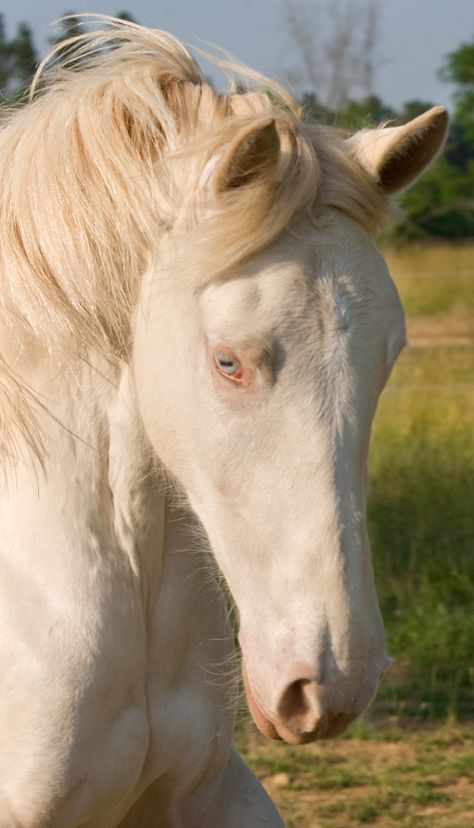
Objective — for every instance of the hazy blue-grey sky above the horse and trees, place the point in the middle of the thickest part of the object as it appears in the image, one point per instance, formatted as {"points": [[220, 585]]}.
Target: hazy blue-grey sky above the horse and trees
{"points": [[415, 35]]}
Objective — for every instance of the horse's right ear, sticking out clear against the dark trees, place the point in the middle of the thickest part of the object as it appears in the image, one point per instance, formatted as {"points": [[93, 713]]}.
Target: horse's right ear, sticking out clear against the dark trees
{"points": [[395, 156]]}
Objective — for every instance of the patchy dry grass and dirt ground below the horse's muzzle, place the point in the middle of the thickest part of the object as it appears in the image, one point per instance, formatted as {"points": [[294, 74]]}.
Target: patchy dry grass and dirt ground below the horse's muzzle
{"points": [[388, 778]]}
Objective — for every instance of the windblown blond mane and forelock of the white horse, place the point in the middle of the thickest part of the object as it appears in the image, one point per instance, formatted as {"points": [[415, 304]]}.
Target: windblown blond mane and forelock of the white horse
{"points": [[97, 167]]}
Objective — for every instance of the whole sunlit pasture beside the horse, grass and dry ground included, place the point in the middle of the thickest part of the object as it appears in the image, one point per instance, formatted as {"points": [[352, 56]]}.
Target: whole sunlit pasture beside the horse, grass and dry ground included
{"points": [[410, 762]]}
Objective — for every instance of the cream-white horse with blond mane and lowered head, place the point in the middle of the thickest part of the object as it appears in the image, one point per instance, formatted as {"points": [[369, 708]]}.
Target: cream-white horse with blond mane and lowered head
{"points": [[196, 326]]}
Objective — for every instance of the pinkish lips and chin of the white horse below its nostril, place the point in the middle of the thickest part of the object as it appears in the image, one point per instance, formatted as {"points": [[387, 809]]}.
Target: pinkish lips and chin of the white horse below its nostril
{"points": [[327, 727]]}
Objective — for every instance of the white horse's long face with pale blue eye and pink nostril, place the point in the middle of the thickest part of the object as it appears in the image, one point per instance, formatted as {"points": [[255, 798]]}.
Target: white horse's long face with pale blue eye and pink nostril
{"points": [[258, 395]]}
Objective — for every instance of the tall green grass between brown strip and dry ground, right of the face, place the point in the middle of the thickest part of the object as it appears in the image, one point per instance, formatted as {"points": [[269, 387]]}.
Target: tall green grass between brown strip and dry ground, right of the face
{"points": [[421, 524]]}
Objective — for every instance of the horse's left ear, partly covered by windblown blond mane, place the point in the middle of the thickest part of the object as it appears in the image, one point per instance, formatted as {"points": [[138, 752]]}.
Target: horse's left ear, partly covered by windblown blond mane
{"points": [[252, 154]]}
